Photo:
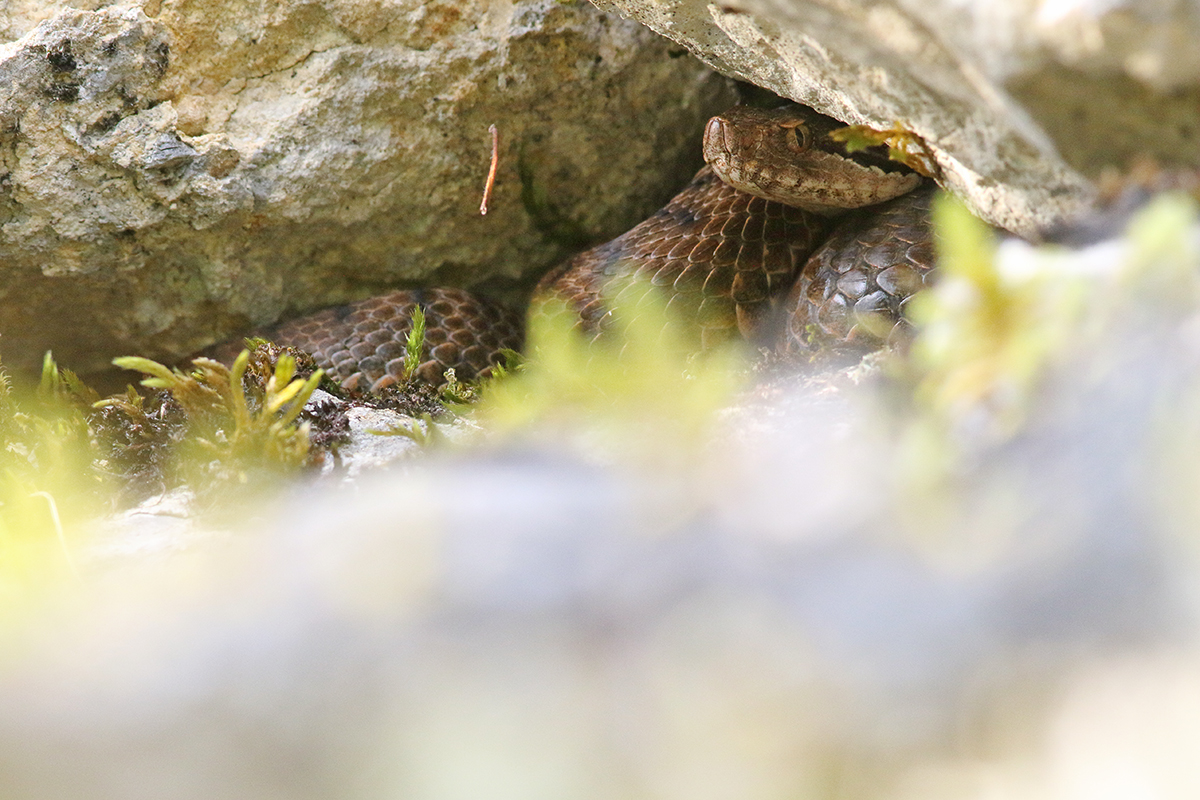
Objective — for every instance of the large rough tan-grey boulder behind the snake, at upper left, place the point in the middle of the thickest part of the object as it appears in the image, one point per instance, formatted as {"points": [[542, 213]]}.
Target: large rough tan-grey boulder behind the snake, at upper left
{"points": [[176, 172]]}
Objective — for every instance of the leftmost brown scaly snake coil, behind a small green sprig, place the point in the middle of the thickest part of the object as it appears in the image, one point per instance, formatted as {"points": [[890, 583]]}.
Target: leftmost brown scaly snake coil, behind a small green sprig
{"points": [[362, 345]]}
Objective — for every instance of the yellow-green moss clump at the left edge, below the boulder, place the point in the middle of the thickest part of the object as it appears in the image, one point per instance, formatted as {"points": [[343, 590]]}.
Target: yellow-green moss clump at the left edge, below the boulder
{"points": [[69, 456]]}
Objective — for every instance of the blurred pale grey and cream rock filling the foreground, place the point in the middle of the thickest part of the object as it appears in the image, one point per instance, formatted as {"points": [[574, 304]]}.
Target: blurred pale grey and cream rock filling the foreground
{"points": [[777, 616]]}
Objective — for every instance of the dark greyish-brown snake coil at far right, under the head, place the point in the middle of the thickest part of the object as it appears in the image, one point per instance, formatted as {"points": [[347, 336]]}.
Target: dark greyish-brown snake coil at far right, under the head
{"points": [[854, 291]]}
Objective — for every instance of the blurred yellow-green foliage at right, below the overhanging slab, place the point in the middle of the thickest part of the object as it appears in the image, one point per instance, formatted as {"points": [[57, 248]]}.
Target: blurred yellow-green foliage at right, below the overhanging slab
{"points": [[989, 335]]}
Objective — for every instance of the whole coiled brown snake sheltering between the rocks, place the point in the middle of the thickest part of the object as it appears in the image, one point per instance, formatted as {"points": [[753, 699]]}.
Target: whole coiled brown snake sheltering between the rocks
{"points": [[772, 242]]}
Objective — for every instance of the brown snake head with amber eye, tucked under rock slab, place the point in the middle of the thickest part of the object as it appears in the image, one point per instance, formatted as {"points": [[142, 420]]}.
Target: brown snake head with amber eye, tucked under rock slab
{"points": [[787, 155]]}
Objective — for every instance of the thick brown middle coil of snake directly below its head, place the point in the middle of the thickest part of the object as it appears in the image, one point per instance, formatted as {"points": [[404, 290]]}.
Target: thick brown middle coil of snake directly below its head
{"points": [[721, 257]]}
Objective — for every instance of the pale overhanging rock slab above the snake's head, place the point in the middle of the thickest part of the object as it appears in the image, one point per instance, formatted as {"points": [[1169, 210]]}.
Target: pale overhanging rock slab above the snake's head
{"points": [[1019, 101]]}
